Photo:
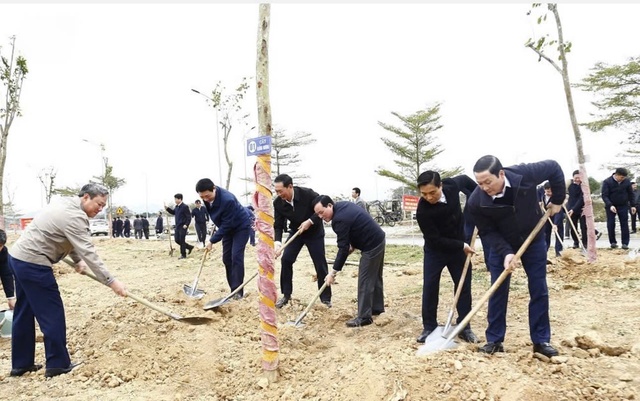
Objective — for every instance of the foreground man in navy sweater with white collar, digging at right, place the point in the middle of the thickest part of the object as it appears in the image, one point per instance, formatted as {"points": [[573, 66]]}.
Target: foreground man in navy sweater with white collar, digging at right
{"points": [[505, 209]]}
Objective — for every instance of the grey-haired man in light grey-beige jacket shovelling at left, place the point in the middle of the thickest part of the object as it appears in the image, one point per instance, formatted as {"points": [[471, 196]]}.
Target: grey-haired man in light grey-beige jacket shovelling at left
{"points": [[59, 230]]}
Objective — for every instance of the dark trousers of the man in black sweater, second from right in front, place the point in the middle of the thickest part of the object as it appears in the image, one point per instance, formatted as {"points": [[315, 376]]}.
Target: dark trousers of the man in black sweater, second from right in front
{"points": [[434, 263]]}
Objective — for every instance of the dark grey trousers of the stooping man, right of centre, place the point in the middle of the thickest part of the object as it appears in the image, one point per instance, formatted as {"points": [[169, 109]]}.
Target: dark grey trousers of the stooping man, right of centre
{"points": [[370, 286]]}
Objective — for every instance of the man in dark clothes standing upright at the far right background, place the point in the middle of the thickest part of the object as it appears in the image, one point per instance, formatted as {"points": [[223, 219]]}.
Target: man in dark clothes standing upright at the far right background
{"points": [[618, 200]]}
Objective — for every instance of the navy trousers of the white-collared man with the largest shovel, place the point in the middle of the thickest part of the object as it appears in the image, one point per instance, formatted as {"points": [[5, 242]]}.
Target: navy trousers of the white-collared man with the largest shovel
{"points": [[534, 261]]}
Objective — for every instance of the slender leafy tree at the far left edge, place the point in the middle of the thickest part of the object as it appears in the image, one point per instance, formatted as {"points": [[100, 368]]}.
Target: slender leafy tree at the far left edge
{"points": [[12, 74]]}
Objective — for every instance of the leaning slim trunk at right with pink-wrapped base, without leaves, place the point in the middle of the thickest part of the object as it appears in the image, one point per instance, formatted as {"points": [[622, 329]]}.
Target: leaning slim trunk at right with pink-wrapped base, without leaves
{"points": [[588, 204]]}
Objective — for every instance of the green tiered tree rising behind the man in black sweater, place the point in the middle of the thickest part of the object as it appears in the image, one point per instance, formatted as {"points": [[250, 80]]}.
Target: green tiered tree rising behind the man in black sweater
{"points": [[414, 145]]}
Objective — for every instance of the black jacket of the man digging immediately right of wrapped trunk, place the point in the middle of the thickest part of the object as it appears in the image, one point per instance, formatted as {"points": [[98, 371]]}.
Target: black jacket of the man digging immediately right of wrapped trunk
{"points": [[302, 210]]}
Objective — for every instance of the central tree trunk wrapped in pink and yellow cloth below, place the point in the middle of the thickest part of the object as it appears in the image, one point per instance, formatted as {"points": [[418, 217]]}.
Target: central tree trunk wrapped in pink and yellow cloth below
{"points": [[262, 199]]}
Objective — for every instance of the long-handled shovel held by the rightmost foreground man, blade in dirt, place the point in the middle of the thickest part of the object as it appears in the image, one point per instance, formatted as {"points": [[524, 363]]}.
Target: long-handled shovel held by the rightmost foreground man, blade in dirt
{"points": [[448, 342]]}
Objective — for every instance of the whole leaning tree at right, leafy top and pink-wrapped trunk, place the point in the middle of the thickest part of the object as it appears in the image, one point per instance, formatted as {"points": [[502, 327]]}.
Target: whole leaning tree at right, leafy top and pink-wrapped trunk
{"points": [[542, 47]]}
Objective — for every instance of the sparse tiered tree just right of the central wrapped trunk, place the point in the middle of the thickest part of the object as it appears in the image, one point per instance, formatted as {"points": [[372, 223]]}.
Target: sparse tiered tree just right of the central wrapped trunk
{"points": [[285, 152]]}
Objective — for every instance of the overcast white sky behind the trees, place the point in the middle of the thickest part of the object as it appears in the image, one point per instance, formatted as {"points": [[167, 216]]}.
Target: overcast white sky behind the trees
{"points": [[121, 75]]}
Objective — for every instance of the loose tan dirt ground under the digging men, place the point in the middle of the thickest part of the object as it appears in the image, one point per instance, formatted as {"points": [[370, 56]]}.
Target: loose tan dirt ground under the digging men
{"points": [[131, 352]]}
